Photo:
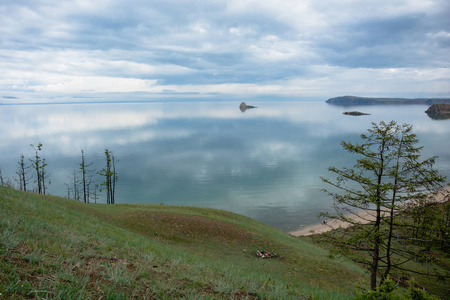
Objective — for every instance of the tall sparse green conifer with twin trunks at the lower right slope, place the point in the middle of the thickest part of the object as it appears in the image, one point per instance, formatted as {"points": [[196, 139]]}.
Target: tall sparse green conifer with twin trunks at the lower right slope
{"points": [[387, 174]]}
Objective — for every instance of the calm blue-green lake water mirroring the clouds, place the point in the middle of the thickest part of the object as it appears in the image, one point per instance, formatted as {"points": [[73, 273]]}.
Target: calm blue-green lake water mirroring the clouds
{"points": [[264, 163]]}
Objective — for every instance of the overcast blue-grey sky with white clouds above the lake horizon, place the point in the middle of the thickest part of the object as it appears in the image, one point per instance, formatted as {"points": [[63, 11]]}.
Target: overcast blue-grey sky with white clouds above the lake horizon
{"points": [[153, 50]]}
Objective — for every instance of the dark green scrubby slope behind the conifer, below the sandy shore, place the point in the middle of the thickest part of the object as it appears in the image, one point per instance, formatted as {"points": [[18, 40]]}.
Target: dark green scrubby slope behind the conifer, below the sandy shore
{"points": [[428, 272]]}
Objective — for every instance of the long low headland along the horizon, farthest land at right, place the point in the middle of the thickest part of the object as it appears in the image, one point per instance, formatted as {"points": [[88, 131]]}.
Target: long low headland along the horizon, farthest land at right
{"points": [[353, 100]]}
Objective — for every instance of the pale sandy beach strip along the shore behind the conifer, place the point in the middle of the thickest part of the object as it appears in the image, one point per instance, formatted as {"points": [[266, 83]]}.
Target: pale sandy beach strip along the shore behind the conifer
{"points": [[363, 217]]}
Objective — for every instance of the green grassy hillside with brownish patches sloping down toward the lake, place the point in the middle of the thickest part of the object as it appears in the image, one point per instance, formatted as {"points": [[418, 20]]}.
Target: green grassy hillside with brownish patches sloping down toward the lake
{"points": [[52, 247]]}
